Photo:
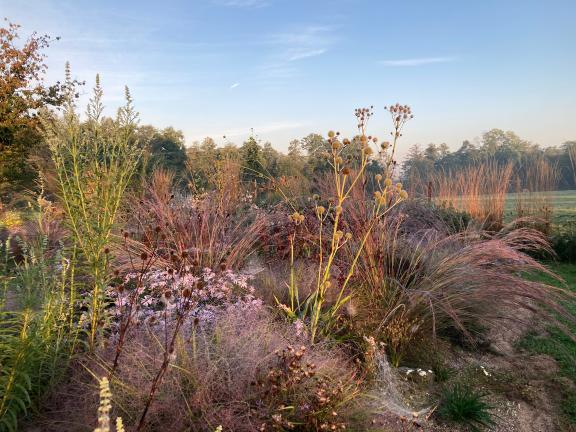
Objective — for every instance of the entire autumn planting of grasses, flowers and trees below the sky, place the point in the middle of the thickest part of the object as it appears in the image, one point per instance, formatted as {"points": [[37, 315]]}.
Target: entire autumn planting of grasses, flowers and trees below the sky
{"points": [[146, 286]]}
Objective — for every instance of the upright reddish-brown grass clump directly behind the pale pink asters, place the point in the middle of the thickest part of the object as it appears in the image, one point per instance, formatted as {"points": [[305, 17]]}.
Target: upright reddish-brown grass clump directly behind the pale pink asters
{"points": [[216, 230]]}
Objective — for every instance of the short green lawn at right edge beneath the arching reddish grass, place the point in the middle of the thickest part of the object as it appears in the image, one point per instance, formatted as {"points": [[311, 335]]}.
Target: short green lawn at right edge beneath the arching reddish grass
{"points": [[559, 345]]}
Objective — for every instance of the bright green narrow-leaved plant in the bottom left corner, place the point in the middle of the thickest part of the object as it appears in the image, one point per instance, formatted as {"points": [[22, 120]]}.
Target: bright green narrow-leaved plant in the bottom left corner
{"points": [[35, 344]]}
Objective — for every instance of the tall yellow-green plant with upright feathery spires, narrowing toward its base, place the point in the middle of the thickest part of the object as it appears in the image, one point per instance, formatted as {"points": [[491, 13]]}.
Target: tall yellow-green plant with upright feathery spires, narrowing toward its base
{"points": [[94, 162]]}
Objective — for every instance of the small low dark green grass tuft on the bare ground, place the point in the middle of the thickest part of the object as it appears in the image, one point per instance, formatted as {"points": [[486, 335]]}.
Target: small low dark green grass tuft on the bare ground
{"points": [[462, 404]]}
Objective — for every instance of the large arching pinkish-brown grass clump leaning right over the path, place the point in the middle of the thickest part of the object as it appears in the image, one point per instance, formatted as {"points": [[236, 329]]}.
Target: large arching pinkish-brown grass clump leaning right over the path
{"points": [[421, 284]]}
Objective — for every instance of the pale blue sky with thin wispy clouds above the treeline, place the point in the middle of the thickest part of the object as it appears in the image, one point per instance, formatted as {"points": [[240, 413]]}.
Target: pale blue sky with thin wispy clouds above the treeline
{"points": [[281, 69]]}
